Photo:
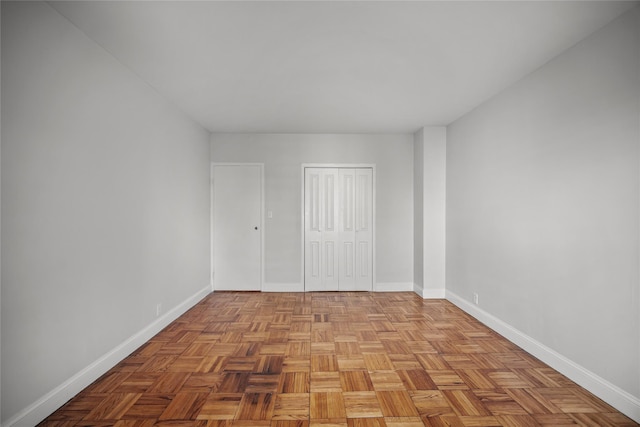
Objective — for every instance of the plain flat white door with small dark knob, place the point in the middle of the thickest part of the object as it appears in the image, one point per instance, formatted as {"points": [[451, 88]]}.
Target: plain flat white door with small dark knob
{"points": [[237, 227]]}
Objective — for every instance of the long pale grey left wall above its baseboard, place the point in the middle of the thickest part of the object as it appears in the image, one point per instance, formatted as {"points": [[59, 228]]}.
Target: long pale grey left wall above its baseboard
{"points": [[105, 203]]}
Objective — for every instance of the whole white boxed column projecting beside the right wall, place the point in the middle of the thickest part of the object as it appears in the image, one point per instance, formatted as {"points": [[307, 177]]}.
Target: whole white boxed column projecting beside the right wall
{"points": [[429, 211]]}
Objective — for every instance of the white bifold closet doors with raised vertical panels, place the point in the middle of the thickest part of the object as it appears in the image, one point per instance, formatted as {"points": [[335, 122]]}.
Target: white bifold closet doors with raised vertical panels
{"points": [[338, 216]]}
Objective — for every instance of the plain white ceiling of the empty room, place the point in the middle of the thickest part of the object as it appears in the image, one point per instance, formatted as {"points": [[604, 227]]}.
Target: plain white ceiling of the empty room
{"points": [[334, 67]]}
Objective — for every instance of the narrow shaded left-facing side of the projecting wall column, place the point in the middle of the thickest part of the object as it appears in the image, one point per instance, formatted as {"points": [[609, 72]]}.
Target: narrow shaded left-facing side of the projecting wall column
{"points": [[418, 209]]}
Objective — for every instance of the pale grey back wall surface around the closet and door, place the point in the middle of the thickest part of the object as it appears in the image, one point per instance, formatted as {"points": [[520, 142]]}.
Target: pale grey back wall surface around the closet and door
{"points": [[283, 156]]}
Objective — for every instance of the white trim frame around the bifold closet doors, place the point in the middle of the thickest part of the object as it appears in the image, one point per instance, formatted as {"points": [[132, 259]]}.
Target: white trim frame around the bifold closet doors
{"points": [[371, 166]]}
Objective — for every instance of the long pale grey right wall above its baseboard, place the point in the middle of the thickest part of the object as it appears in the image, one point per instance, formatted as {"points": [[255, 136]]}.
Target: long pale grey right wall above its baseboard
{"points": [[542, 204]]}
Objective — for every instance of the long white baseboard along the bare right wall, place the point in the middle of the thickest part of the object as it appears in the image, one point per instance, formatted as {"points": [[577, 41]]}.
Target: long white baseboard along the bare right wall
{"points": [[623, 401]]}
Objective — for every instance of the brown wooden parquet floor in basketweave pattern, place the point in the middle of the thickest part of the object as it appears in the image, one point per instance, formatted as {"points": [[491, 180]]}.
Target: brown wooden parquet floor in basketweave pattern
{"points": [[331, 360]]}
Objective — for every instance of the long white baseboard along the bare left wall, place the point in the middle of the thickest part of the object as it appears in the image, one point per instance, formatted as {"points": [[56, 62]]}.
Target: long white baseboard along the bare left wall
{"points": [[57, 397]]}
